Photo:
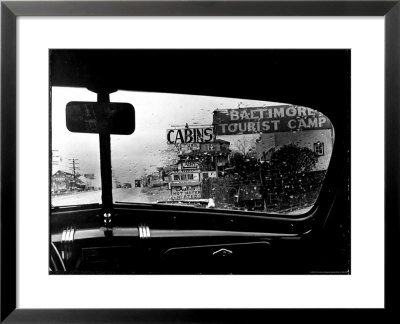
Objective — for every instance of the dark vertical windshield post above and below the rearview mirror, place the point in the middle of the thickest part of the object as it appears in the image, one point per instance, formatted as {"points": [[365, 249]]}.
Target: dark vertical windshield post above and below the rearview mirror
{"points": [[105, 161]]}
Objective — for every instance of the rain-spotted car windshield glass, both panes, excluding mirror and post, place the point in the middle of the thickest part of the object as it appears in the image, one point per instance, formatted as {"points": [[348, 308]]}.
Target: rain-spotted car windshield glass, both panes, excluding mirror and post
{"points": [[199, 151]]}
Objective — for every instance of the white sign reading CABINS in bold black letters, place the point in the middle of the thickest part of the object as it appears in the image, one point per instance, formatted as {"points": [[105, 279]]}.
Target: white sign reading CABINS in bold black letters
{"points": [[190, 135]]}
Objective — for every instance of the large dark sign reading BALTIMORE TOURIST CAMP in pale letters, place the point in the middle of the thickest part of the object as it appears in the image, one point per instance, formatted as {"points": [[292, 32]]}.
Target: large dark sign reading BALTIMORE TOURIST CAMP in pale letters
{"points": [[267, 120]]}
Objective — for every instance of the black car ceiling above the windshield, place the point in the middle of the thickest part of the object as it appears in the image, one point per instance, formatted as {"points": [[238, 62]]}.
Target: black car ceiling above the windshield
{"points": [[302, 77]]}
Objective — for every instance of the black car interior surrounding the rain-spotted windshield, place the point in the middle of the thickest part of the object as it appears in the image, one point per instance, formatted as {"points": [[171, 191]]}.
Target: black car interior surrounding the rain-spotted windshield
{"points": [[171, 237]]}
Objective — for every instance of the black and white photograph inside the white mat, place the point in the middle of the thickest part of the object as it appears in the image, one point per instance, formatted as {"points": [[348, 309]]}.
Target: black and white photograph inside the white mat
{"points": [[199, 161]]}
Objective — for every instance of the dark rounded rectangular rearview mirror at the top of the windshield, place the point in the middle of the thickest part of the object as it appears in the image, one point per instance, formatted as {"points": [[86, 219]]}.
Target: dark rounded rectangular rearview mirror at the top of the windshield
{"points": [[94, 117]]}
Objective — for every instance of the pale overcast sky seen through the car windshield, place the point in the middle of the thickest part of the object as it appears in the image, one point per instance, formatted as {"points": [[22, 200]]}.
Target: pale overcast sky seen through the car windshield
{"points": [[144, 150]]}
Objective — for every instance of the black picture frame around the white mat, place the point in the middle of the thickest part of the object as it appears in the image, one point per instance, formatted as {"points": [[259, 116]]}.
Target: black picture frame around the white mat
{"points": [[10, 10]]}
